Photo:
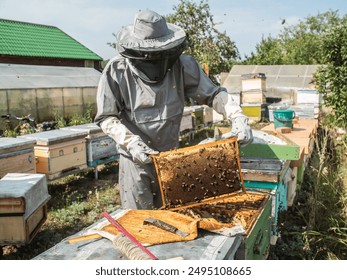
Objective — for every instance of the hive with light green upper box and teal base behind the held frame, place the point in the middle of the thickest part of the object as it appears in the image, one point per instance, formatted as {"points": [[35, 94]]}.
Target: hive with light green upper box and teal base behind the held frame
{"points": [[266, 166]]}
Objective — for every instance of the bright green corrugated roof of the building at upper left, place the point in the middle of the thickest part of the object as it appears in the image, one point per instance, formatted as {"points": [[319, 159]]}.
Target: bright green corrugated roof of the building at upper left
{"points": [[28, 39]]}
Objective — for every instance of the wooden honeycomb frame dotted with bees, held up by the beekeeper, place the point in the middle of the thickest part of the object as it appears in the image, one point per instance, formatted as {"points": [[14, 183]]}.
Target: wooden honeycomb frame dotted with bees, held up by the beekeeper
{"points": [[193, 174]]}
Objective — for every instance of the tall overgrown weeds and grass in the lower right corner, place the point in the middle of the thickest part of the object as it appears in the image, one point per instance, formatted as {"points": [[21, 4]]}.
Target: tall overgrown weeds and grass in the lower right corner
{"points": [[316, 226]]}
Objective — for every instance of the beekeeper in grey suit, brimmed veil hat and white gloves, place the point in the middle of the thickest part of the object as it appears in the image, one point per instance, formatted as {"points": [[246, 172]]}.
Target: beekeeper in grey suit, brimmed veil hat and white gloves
{"points": [[140, 102]]}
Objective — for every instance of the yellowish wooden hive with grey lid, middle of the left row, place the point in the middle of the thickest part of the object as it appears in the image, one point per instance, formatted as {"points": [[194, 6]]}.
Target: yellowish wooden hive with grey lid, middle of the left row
{"points": [[59, 152]]}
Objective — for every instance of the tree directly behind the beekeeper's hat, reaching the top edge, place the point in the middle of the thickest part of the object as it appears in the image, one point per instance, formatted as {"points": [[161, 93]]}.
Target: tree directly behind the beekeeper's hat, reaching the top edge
{"points": [[210, 47]]}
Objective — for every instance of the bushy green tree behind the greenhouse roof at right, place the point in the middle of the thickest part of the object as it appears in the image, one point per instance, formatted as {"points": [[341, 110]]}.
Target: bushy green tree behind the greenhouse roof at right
{"points": [[296, 44]]}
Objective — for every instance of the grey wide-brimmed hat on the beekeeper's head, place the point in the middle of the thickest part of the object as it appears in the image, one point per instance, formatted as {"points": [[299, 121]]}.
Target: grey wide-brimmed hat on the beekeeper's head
{"points": [[150, 32]]}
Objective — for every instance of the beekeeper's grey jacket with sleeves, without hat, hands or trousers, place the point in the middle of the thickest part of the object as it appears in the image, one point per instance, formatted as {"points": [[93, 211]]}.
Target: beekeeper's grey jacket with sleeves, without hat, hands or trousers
{"points": [[128, 107]]}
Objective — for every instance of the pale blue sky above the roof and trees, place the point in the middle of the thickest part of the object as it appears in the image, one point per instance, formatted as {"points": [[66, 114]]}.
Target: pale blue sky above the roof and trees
{"points": [[93, 22]]}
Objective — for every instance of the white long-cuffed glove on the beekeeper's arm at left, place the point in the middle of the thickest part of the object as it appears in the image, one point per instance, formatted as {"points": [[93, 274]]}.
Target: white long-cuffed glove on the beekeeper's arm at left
{"points": [[138, 150]]}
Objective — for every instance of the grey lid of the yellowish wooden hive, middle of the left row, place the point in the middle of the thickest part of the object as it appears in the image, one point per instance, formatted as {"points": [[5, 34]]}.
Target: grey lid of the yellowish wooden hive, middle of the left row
{"points": [[55, 136]]}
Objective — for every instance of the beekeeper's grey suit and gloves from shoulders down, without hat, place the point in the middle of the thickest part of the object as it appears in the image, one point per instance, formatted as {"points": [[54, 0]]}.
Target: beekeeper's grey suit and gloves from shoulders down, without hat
{"points": [[144, 118]]}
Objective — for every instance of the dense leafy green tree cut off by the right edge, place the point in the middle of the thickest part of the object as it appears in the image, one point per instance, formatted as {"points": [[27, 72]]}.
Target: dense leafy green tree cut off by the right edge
{"points": [[332, 77]]}
